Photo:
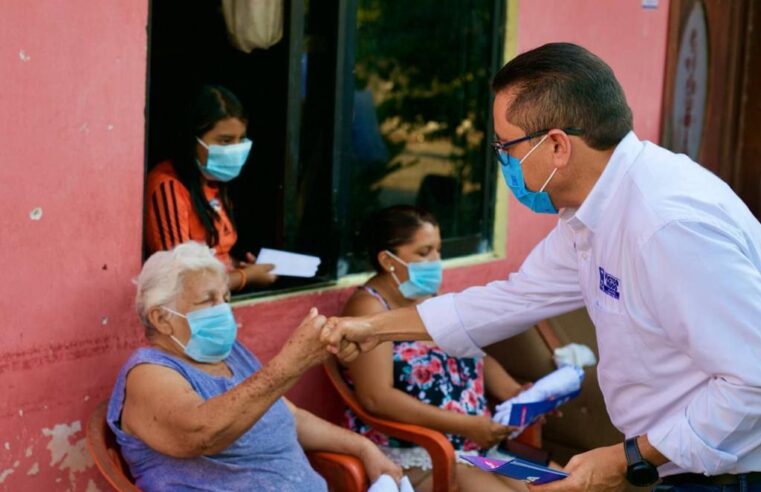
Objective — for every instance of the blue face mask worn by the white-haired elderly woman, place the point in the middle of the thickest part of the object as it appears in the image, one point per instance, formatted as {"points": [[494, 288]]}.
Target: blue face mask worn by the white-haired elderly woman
{"points": [[212, 333]]}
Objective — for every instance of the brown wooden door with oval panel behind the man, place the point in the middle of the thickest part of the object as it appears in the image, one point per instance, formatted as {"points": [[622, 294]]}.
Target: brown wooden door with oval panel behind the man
{"points": [[712, 103]]}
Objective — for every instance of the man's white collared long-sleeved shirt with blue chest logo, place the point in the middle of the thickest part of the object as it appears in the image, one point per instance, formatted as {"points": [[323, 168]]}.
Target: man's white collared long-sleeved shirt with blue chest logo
{"points": [[667, 260]]}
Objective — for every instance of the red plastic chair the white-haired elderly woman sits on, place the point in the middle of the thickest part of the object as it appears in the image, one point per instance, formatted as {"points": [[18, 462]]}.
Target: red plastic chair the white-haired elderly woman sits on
{"points": [[343, 473]]}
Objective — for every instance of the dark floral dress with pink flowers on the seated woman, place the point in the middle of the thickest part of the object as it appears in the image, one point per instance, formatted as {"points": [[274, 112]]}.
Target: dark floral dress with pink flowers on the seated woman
{"points": [[429, 374]]}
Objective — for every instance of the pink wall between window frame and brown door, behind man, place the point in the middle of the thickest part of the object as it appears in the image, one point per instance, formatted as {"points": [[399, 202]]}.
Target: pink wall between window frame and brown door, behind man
{"points": [[632, 40]]}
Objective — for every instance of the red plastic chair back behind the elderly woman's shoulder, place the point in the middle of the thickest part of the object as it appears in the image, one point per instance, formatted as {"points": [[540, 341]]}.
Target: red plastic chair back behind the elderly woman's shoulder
{"points": [[105, 451]]}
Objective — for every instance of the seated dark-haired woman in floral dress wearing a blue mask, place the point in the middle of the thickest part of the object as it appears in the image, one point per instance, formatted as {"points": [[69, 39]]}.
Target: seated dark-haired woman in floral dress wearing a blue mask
{"points": [[415, 382]]}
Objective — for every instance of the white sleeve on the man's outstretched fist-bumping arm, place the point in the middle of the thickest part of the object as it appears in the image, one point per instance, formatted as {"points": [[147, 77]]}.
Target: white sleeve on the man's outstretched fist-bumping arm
{"points": [[546, 285]]}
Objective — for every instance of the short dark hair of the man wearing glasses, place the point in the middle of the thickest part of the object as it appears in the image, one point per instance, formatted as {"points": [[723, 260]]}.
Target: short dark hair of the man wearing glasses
{"points": [[562, 85]]}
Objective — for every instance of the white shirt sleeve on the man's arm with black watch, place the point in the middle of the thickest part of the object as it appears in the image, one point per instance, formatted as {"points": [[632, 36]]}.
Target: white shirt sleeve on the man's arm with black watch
{"points": [[705, 294]]}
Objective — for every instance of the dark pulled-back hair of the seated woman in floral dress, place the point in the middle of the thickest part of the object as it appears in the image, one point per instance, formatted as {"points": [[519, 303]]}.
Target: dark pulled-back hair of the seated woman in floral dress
{"points": [[391, 227]]}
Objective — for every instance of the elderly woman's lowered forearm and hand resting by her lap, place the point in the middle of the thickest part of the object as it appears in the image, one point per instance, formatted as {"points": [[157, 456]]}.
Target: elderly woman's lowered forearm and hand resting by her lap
{"points": [[316, 434]]}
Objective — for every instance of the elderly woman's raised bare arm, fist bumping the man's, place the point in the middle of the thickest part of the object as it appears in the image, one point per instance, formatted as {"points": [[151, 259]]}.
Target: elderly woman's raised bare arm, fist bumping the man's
{"points": [[163, 410]]}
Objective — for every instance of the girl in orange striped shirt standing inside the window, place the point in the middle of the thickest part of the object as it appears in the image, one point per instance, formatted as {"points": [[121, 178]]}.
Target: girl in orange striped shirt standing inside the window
{"points": [[187, 197]]}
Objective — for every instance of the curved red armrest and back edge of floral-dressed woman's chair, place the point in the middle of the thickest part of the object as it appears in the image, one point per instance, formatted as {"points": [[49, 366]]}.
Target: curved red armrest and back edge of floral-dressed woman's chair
{"points": [[434, 442]]}
